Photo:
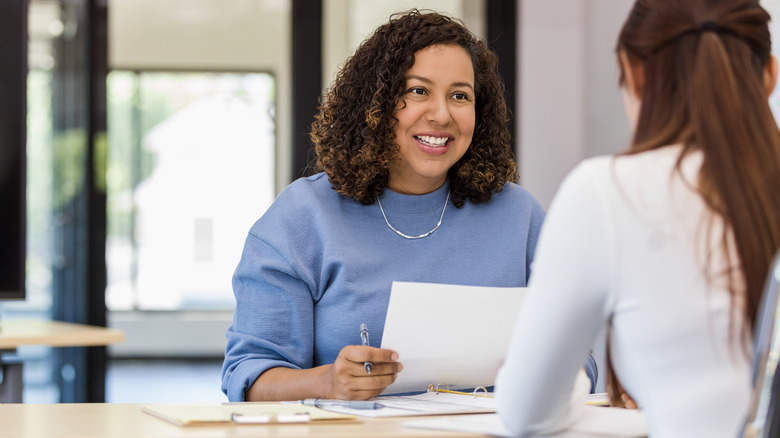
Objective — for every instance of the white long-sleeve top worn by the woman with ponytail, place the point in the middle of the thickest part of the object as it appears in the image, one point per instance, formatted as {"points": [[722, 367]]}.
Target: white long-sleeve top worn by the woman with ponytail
{"points": [[625, 243]]}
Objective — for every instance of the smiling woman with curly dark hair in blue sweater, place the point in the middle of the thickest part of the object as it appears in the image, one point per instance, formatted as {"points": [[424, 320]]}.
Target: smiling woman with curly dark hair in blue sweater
{"points": [[415, 121]]}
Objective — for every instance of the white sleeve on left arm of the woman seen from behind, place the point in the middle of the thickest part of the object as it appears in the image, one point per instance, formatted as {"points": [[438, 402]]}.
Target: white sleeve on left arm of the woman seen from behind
{"points": [[566, 306]]}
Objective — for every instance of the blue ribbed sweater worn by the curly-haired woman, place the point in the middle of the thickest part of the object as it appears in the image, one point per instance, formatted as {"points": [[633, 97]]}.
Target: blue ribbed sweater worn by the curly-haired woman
{"points": [[317, 264]]}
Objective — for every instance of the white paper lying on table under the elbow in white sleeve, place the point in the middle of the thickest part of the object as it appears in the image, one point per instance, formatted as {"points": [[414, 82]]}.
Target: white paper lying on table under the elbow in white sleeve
{"points": [[595, 421]]}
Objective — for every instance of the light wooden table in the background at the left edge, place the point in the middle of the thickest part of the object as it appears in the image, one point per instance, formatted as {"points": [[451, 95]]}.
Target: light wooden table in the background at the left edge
{"points": [[15, 333]]}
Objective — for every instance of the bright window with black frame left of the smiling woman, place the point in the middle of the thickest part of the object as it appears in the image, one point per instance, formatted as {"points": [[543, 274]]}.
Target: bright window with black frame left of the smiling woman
{"points": [[190, 168]]}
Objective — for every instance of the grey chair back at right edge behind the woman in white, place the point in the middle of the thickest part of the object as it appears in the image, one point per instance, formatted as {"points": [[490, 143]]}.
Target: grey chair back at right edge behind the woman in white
{"points": [[763, 420]]}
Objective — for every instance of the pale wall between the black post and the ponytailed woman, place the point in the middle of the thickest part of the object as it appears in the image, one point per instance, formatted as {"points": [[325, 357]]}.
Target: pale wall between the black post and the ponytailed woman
{"points": [[569, 103]]}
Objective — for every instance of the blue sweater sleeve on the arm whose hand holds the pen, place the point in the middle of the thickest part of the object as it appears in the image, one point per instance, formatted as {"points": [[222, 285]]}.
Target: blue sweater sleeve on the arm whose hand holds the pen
{"points": [[273, 320]]}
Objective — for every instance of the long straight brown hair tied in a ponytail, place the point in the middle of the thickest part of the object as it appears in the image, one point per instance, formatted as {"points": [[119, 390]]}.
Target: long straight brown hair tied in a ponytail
{"points": [[703, 63]]}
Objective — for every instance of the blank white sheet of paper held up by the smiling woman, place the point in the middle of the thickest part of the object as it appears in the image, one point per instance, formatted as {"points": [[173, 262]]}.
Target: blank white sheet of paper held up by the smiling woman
{"points": [[449, 334]]}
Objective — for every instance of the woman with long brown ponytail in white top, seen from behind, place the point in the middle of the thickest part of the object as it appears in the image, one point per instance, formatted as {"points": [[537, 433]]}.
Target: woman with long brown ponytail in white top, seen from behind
{"points": [[667, 245]]}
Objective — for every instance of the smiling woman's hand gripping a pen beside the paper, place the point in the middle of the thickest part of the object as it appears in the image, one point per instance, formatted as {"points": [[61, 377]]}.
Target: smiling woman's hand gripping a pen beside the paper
{"points": [[349, 379]]}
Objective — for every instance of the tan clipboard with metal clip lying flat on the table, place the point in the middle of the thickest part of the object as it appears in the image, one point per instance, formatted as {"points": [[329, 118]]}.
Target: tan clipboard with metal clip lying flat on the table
{"points": [[244, 413]]}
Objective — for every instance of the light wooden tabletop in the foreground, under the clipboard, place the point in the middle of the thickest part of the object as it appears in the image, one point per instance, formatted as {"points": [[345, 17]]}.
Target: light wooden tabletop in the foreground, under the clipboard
{"points": [[128, 421]]}
